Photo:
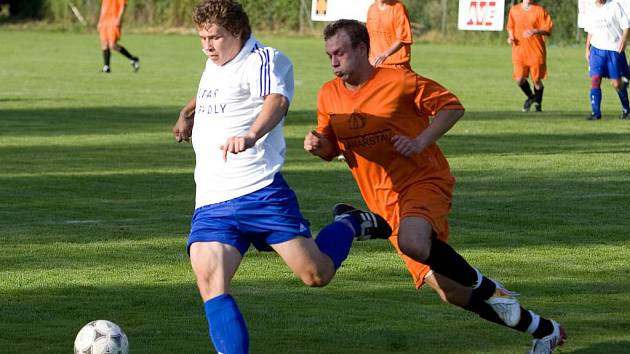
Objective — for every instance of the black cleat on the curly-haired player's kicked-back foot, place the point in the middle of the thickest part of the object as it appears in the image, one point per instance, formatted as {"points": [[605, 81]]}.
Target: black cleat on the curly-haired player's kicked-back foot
{"points": [[372, 225]]}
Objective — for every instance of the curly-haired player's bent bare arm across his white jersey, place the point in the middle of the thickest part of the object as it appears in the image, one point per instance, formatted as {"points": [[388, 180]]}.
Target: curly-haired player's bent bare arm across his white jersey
{"points": [[274, 108]]}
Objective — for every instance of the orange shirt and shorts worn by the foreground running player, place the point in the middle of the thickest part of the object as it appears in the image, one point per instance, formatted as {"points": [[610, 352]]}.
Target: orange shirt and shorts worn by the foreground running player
{"points": [[362, 123]]}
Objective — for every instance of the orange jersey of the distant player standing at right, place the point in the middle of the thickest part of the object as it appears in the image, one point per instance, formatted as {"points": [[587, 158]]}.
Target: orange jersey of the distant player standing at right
{"points": [[532, 50]]}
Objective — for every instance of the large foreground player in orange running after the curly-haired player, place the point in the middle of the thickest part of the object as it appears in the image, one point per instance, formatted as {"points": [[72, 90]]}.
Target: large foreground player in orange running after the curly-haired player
{"points": [[379, 119]]}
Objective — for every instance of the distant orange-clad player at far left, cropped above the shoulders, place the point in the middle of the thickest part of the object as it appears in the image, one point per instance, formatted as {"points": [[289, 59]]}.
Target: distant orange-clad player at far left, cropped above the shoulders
{"points": [[109, 29]]}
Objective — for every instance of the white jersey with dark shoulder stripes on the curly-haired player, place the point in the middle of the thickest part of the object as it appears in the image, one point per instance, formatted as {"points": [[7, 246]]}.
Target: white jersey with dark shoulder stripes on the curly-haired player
{"points": [[229, 99]]}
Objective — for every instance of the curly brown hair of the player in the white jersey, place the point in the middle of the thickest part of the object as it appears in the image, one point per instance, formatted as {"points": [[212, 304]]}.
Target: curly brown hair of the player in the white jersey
{"points": [[228, 14]]}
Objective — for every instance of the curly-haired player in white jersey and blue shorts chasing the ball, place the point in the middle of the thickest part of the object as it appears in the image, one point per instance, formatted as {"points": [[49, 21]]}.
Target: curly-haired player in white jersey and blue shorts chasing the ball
{"points": [[235, 122]]}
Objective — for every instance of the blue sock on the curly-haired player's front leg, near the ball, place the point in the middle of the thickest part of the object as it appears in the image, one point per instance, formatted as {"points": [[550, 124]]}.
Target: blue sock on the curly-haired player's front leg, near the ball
{"points": [[227, 325]]}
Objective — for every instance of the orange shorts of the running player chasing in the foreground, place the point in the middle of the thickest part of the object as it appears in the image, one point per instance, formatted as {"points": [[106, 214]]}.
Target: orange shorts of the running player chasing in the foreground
{"points": [[431, 202]]}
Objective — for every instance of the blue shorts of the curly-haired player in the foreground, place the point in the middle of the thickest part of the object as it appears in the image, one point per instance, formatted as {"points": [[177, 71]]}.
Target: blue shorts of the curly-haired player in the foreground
{"points": [[268, 216]]}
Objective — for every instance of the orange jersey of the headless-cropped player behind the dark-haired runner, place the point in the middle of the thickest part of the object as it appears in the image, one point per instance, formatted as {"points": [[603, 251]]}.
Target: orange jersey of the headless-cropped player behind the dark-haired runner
{"points": [[386, 27]]}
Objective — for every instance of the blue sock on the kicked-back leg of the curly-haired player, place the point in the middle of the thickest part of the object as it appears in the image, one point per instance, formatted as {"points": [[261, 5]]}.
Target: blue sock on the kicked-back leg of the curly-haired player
{"points": [[335, 241]]}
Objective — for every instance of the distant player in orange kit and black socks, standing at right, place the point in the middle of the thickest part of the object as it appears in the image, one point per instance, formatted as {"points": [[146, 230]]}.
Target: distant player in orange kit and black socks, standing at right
{"points": [[528, 23]]}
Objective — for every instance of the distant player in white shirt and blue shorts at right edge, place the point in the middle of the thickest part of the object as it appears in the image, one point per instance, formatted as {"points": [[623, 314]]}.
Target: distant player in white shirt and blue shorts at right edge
{"points": [[607, 29]]}
